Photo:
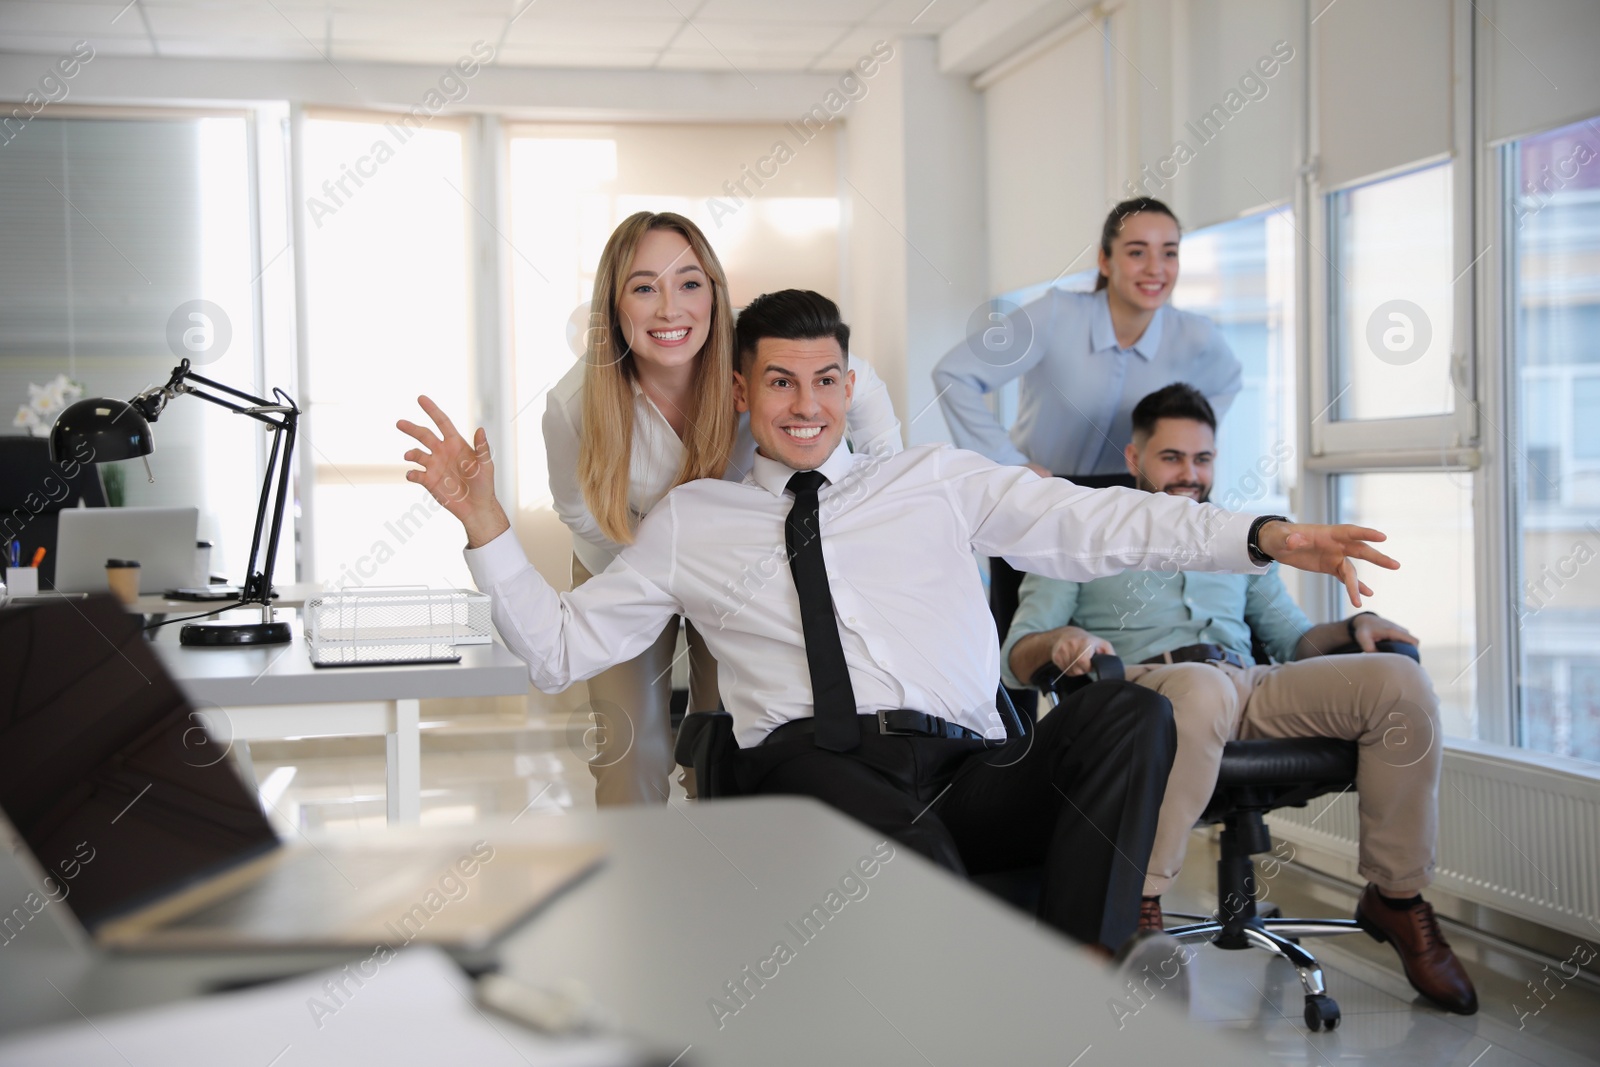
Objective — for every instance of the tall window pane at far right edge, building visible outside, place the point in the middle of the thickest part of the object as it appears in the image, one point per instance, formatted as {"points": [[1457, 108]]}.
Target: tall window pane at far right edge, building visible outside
{"points": [[1554, 228]]}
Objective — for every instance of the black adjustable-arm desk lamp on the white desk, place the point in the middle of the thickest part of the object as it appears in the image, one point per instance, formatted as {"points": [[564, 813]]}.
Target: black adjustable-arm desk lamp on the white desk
{"points": [[111, 431]]}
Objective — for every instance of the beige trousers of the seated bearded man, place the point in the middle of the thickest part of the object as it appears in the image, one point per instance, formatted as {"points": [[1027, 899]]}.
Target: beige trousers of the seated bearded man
{"points": [[1383, 701]]}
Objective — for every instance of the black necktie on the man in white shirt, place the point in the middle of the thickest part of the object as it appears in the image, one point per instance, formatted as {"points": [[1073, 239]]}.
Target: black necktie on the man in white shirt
{"points": [[833, 700]]}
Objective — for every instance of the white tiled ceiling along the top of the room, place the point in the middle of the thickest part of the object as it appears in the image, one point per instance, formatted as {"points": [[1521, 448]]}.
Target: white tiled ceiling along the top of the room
{"points": [[626, 34]]}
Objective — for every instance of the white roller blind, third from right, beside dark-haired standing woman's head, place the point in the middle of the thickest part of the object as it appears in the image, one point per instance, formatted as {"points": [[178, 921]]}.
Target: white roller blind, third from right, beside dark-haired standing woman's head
{"points": [[1238, 119]]}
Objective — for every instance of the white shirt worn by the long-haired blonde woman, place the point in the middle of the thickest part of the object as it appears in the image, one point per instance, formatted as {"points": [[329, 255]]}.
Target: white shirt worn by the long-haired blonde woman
{"points": [[658, 454]]}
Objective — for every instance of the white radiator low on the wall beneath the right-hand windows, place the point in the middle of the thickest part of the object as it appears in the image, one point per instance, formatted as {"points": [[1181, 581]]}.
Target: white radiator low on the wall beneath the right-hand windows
{"points": [[1513, 836]]}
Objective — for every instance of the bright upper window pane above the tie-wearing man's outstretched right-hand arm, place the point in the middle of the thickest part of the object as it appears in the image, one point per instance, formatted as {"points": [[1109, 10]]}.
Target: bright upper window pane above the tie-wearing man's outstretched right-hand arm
{"points": [[1393, 311]]}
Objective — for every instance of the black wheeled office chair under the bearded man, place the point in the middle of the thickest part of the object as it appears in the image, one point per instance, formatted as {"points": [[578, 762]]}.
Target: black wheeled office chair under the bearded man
{"points": [[1255, 778]]}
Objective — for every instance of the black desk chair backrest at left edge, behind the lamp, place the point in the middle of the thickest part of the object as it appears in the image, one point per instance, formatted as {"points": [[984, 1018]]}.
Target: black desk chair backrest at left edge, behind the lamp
{"points": [[34, 492]]}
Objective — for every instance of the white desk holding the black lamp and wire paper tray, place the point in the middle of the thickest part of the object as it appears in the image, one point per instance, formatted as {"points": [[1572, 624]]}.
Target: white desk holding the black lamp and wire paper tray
{"points": [[273, 692]]}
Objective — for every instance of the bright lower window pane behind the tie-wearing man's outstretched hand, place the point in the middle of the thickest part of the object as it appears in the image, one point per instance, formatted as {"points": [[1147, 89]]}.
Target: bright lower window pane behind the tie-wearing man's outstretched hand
{"points": [[1428, 518]]}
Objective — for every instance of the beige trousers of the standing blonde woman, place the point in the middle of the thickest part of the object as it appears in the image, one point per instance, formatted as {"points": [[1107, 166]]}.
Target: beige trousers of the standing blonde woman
{"points": [[631, 714]]}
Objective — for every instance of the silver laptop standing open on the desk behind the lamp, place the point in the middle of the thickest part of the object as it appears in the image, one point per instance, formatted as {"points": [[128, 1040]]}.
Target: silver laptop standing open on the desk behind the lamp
{"points": [[162, 540]]}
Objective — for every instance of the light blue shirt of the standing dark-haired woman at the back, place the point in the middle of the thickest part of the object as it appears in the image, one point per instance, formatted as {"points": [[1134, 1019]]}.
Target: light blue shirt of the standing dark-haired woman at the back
{"points": [[1074, 410]]}
